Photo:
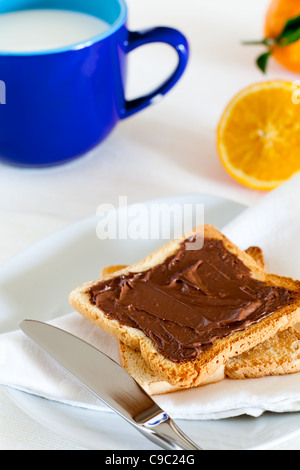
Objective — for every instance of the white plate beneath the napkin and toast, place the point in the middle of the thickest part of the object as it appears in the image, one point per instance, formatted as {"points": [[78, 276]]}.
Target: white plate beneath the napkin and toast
{"points": [[36, 284]]}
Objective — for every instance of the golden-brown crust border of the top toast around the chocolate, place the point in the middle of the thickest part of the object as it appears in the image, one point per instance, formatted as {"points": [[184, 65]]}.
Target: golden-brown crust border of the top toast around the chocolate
{"points": [[193, 373]]}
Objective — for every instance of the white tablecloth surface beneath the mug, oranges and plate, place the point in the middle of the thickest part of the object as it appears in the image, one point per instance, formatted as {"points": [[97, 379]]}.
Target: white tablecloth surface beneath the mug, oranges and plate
{"points": [[168, 149]]}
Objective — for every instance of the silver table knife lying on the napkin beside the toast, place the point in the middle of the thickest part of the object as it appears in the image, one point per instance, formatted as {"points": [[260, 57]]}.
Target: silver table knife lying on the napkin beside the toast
{"points": [[110, 383]]}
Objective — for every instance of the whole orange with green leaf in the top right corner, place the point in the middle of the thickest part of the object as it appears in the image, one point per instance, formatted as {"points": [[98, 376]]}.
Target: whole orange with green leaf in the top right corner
{"points": [[278, 13]]}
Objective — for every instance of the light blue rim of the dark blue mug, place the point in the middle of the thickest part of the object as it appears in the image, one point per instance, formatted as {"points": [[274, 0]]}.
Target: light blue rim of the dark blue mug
{"points": [[115, 26]]}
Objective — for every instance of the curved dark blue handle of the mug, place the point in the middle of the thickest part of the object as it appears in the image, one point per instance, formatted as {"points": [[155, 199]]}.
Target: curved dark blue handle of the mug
{"points": [[159, 34]]}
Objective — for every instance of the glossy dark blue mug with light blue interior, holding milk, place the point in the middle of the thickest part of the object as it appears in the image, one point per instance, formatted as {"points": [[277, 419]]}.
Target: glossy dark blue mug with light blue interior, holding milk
{"points": [[55, 105]]}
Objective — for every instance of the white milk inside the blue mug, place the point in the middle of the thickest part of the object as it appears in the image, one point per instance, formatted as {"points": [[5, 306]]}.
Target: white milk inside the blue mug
{"points": [[41, 30]]}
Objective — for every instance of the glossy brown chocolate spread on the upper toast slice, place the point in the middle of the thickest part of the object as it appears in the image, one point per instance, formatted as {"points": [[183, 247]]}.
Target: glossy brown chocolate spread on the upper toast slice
{"points": [[194, 297]]}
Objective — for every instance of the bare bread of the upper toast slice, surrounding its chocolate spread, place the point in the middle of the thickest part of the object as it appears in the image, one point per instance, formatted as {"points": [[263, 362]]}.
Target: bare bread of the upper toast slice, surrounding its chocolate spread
{"points": [[194, 372]]}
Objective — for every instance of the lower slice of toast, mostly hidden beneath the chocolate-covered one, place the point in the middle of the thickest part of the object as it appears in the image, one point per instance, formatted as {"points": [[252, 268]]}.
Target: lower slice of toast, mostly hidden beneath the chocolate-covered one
{"points": [[279, 355]]}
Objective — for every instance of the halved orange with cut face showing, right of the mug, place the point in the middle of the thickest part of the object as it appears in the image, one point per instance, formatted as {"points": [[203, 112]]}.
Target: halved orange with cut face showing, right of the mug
{"points": [[259, 134]]}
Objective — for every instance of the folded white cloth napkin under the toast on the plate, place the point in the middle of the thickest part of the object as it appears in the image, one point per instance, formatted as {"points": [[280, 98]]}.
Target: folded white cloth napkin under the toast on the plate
{"points": [[274, 225]]}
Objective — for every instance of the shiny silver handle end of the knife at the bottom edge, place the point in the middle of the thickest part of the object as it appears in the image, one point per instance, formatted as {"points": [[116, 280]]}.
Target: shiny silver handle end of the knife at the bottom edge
{"points": [[168, 435]]}
